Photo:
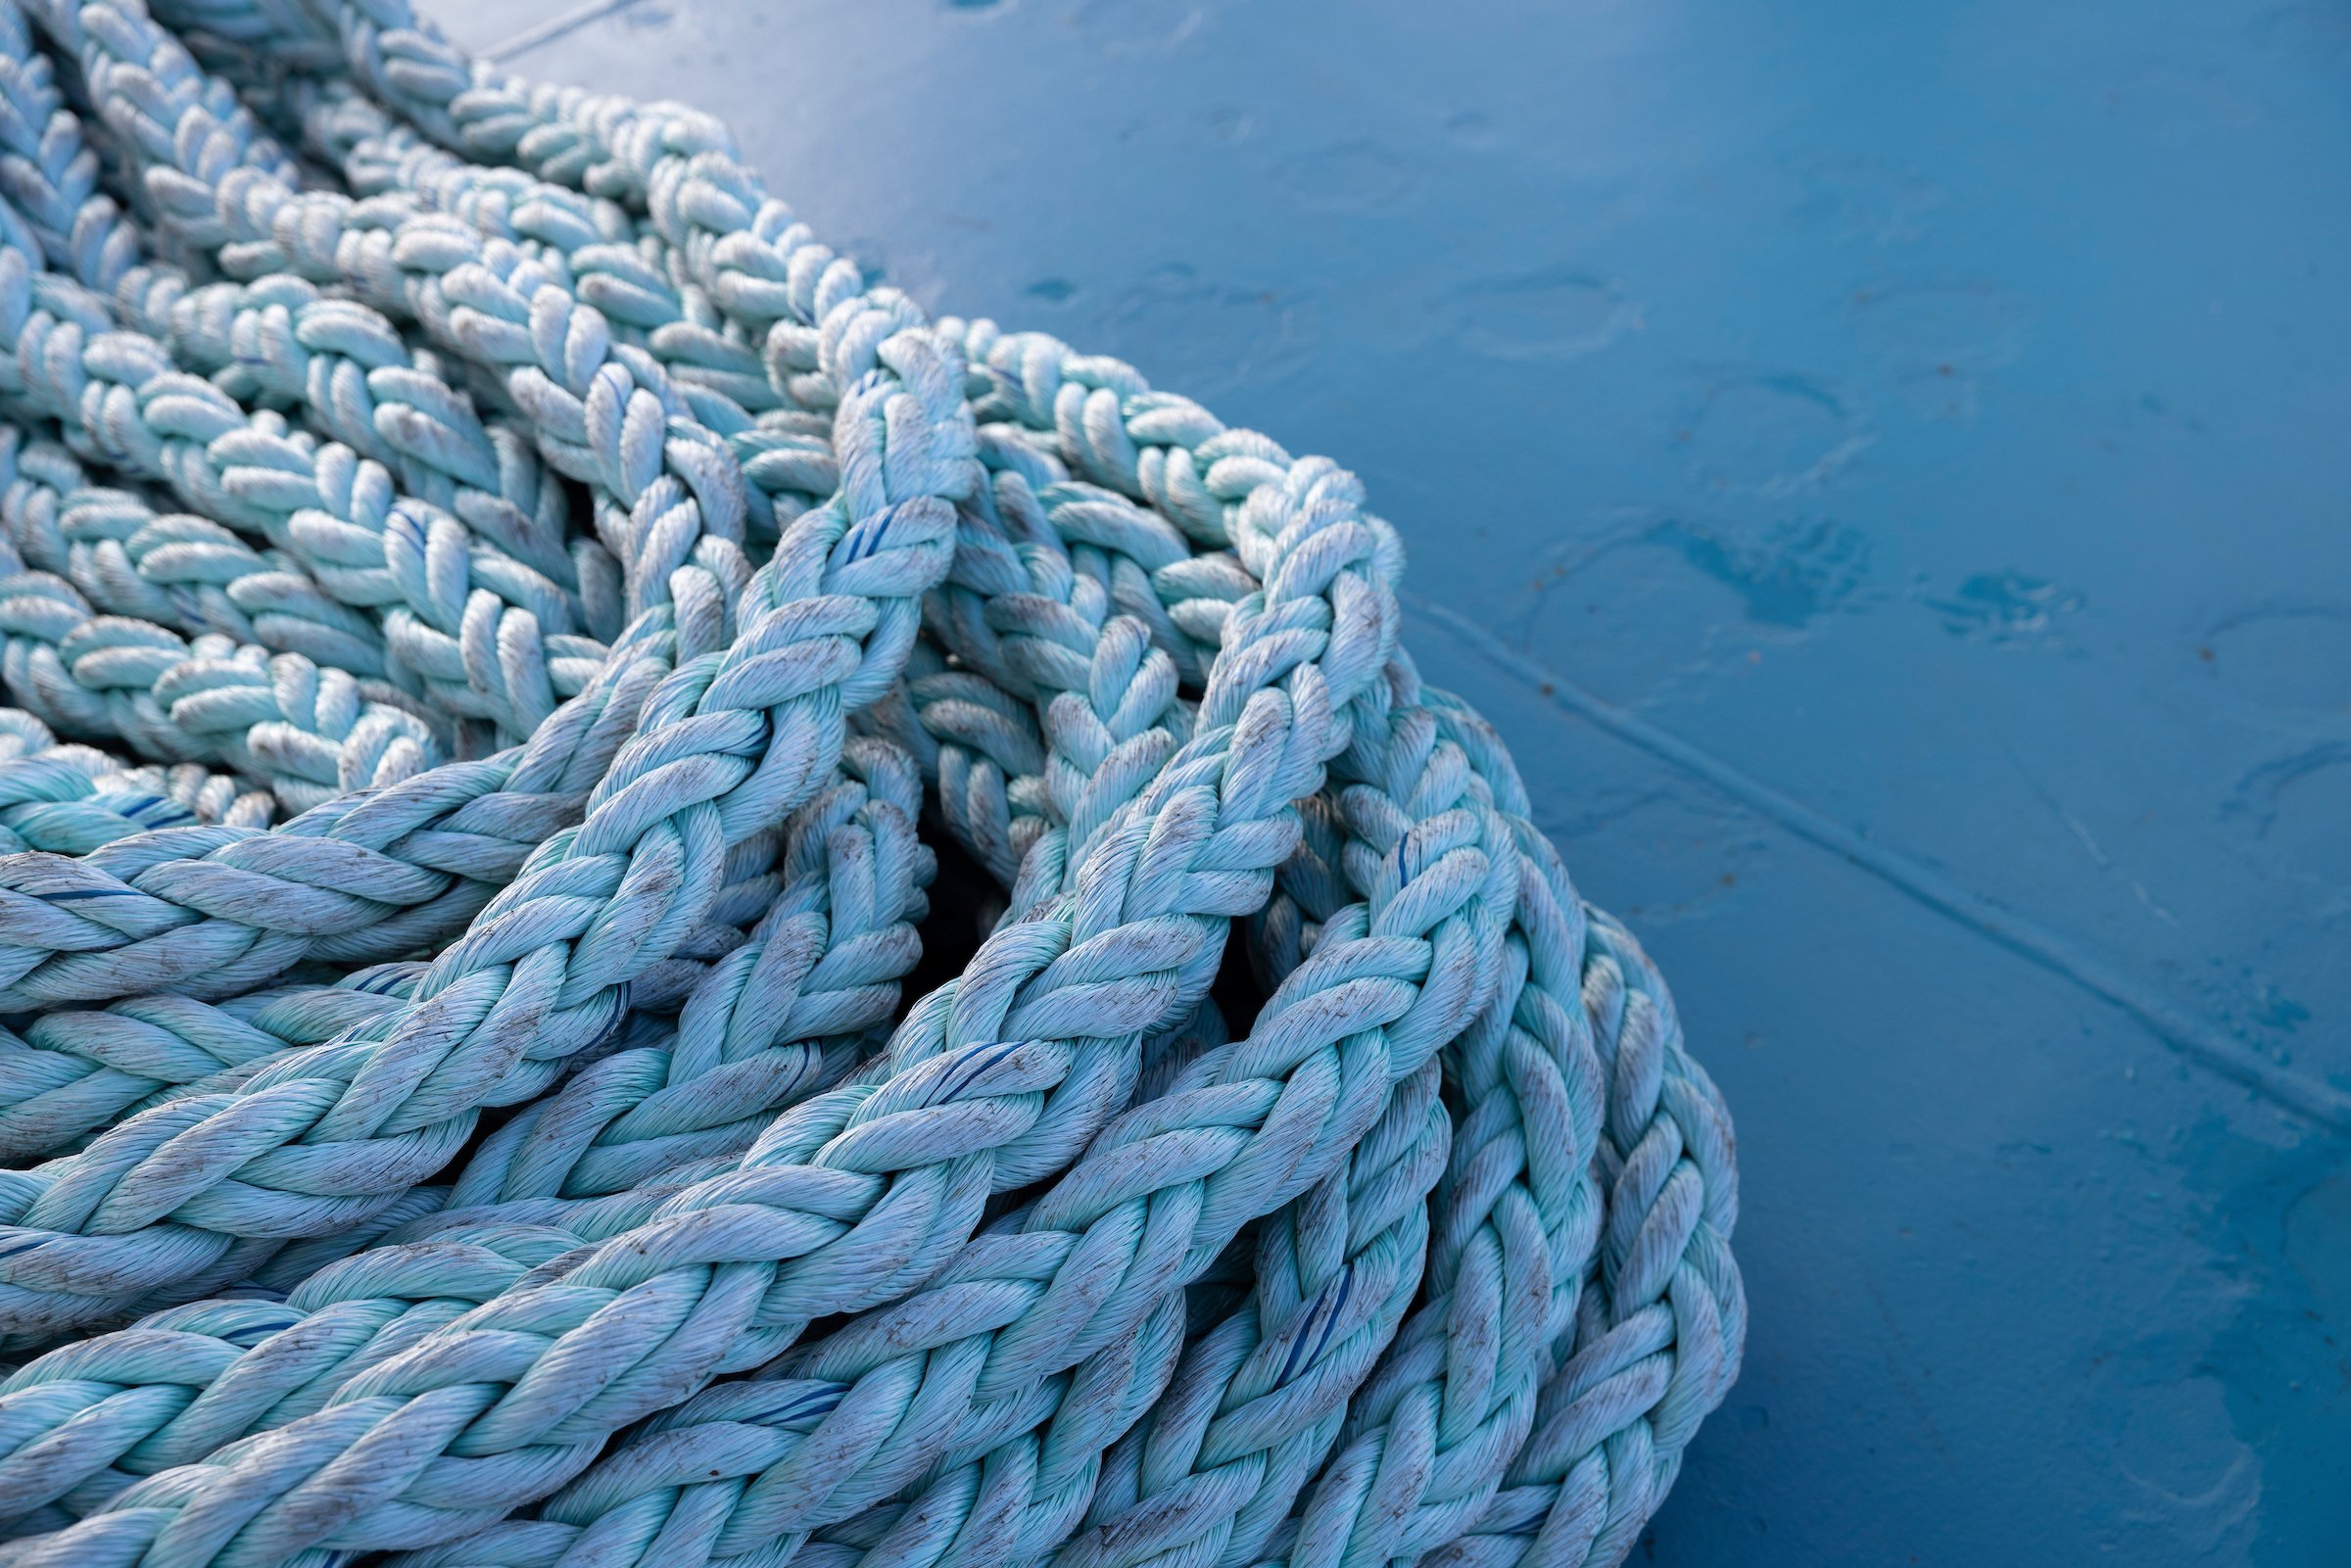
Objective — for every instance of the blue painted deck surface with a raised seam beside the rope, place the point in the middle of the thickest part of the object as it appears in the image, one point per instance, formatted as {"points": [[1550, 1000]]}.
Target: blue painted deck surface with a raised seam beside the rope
{"points": [[1884, 469]]}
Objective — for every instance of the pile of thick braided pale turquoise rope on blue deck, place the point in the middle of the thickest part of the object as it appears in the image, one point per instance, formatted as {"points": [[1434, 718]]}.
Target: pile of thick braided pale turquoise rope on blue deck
{"points": [[528, 1151]]}
